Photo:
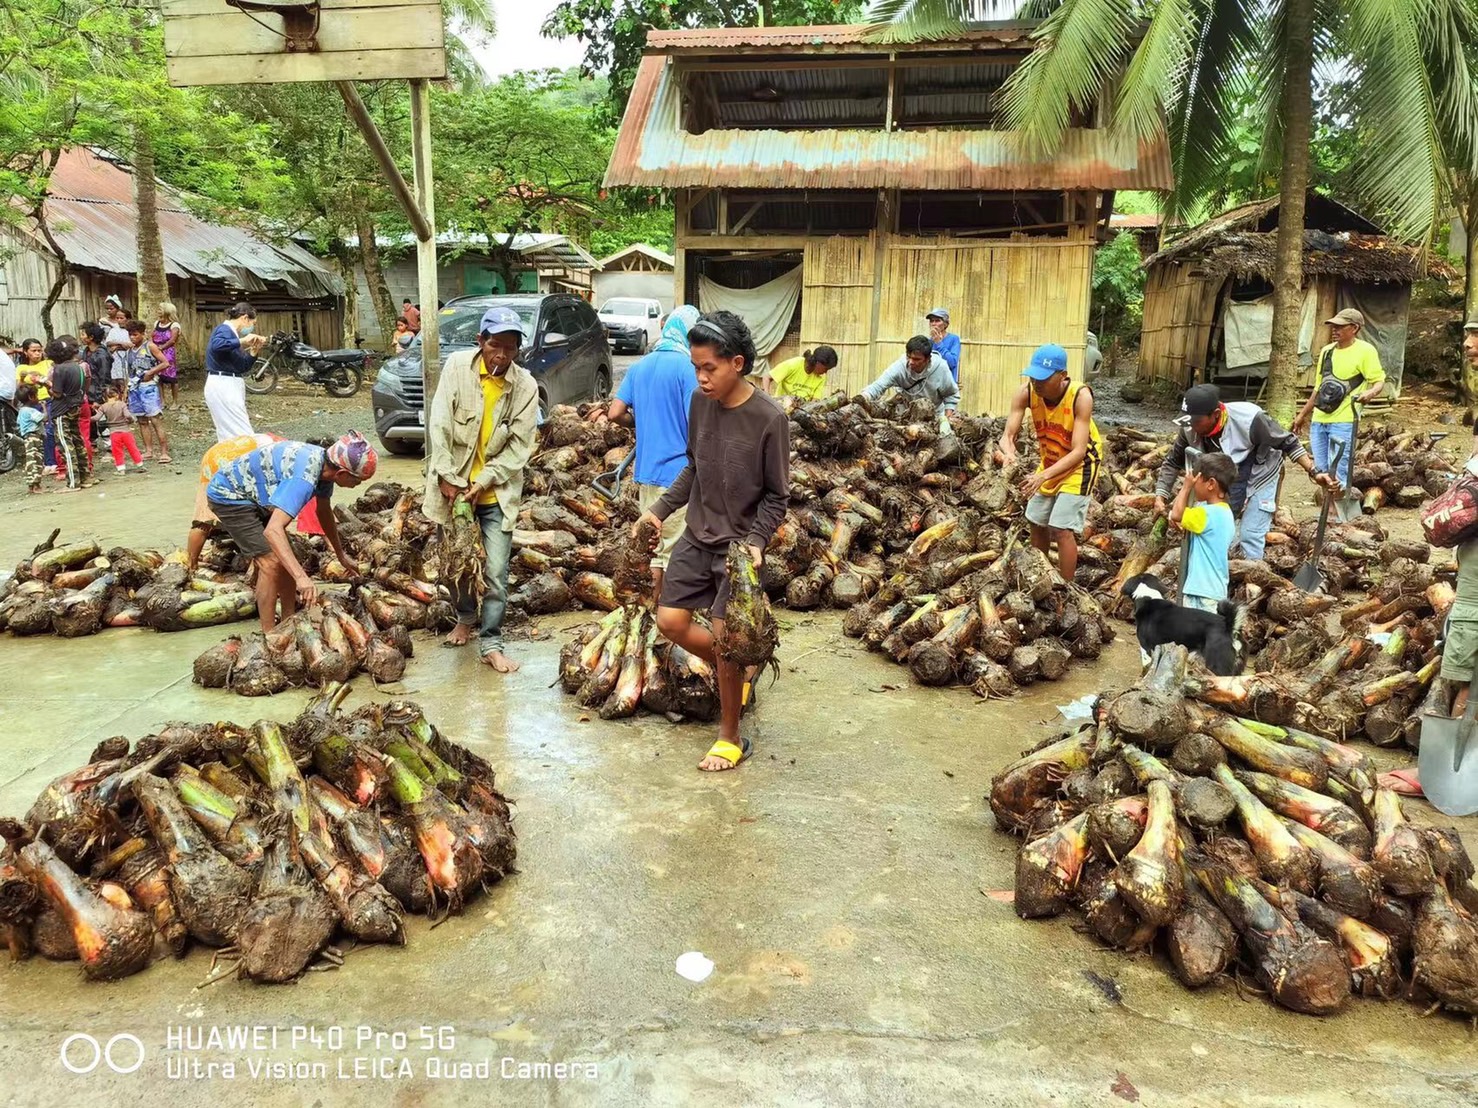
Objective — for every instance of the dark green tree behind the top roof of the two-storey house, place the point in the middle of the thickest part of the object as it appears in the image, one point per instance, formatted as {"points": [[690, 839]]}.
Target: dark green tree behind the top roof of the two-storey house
{"points": [[614, 32]]}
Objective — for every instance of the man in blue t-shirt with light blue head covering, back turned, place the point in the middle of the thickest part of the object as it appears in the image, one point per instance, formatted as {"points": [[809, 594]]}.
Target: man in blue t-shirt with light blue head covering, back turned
{"points": [[655, 395]]}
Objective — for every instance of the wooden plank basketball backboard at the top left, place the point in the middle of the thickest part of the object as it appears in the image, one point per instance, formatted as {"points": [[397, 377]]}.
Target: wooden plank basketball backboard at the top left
{"points": [[268, 42]]}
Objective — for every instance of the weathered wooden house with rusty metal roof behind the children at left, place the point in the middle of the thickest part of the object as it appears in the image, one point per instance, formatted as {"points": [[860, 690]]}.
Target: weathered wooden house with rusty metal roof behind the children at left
{"points": [[211, 267]]}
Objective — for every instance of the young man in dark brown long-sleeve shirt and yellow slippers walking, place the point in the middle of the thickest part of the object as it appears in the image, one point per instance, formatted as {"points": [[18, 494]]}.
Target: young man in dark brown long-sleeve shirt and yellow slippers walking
{"points": [[737, 487]]}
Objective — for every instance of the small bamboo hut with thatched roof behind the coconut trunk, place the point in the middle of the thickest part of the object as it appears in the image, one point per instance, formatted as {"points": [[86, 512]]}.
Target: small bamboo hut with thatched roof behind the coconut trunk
{"points": [[1208, 298]]}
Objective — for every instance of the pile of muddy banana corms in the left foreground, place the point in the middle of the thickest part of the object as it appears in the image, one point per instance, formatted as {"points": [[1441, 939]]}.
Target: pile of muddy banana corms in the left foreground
{"points": [[273, 844]]}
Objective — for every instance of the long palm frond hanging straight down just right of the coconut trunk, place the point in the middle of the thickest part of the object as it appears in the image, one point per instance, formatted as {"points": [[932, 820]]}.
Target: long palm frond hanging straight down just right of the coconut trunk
{"points": [[1402, 159]]}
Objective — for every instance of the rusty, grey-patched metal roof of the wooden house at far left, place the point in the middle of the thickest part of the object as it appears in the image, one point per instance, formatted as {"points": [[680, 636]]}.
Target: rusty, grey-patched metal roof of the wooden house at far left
{"points": [[91, 213]]}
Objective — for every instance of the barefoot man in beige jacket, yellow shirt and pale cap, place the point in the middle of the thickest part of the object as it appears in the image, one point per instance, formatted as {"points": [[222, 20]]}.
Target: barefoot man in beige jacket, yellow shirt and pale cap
{"points": [[480, 437]]}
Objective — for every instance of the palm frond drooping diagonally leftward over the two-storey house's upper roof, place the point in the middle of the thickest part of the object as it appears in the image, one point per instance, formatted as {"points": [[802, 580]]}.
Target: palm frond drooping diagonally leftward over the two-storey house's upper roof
{"points": [[1081, 48]]}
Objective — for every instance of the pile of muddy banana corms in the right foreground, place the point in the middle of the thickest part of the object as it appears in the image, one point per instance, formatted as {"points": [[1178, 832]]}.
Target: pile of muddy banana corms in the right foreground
{"points": [[1232, 844]]}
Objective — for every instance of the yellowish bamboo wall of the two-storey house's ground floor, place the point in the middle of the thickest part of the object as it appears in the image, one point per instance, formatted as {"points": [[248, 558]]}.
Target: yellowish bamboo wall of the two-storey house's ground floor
{"points": [[1006, 299]]}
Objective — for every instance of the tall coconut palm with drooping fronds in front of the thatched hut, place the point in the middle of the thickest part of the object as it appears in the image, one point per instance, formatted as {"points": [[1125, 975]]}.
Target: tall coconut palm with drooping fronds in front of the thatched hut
{"points": [[1180, 67]]}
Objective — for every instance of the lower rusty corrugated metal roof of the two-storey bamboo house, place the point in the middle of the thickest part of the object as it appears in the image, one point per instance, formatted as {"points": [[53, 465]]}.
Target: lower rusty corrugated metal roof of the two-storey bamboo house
{"points": [[654, 151]]}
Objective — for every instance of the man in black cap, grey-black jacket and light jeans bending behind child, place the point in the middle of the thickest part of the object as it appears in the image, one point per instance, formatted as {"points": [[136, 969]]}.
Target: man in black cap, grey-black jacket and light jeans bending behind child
{"points": [[1257, 447]]}
